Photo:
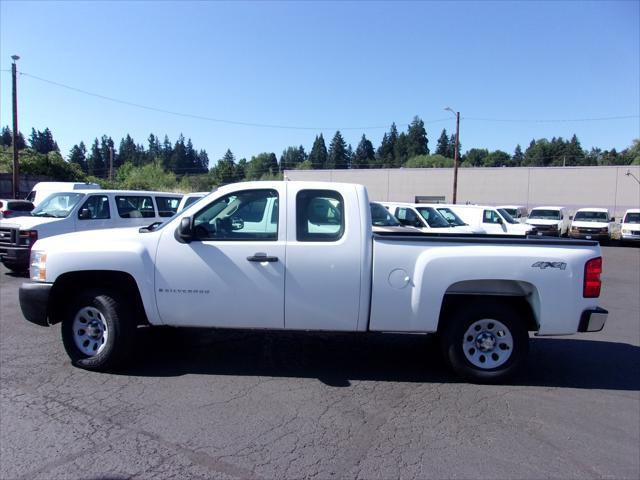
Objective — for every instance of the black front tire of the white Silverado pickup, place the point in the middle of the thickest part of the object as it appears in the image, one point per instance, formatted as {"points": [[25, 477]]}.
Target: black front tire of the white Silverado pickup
{"points": [[119, 327]]}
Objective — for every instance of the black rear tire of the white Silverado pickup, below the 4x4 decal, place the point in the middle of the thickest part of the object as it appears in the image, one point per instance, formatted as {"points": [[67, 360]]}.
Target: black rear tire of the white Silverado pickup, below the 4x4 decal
{"points": [[457, 326]]}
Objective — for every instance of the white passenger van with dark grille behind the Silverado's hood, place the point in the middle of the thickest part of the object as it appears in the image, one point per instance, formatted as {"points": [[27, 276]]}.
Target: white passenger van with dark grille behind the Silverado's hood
{"points": [[77, 210]]}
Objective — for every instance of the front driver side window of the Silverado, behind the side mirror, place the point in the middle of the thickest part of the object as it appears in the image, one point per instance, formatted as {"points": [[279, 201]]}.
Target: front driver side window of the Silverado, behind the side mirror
{"points": [[247, 215]]}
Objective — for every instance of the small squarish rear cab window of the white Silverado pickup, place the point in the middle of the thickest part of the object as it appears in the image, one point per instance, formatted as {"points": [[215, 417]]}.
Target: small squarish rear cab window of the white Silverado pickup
{"points": [[319, 216]]}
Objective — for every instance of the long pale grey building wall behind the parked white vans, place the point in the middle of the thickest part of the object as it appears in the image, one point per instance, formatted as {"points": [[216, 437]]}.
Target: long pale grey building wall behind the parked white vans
{"points": [[571, 187]]}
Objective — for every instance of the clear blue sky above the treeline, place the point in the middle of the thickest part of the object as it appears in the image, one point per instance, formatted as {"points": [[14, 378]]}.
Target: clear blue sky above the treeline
{"points": [[320, 66]]}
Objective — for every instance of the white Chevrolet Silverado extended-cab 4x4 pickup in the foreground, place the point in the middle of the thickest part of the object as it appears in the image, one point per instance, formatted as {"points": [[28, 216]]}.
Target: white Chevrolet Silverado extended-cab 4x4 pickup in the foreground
{"points": [[302, 256]]}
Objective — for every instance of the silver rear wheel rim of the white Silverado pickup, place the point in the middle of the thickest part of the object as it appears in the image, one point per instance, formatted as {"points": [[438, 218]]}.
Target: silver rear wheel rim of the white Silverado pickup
{"points": [[487, 344]]}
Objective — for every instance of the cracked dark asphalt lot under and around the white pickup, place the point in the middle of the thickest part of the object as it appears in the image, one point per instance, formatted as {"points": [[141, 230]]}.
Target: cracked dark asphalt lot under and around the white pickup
{"points": [[209, 404]]}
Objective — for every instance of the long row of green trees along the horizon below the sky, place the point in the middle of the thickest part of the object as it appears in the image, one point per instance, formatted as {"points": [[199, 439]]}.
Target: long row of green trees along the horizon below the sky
{"points": [[410, 149]]}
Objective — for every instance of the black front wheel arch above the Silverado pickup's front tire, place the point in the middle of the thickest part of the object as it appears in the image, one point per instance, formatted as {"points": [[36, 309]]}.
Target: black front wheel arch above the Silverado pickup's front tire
{"points": [[68, 285]]}
